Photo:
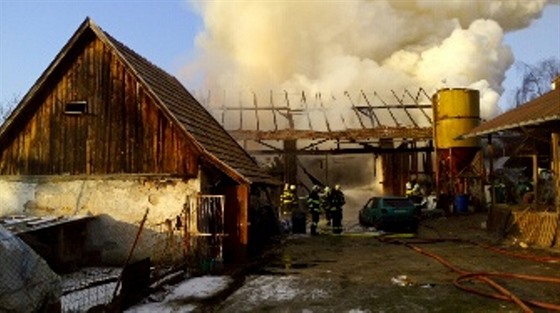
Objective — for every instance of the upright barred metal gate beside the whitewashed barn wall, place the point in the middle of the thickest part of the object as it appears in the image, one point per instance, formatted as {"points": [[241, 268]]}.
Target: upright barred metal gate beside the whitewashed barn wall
{"points": [[204, 221]]}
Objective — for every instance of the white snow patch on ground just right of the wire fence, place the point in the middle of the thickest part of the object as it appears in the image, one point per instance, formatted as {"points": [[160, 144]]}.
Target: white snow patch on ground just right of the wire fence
{"points": [[177, 299]]}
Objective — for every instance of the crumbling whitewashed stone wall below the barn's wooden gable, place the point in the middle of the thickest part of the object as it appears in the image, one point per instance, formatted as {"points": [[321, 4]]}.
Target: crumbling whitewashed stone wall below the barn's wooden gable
{"points": [[118, 205]]}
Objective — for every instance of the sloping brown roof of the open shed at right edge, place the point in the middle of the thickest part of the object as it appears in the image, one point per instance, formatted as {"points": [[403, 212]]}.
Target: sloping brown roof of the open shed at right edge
{"points": [[545, 108]]}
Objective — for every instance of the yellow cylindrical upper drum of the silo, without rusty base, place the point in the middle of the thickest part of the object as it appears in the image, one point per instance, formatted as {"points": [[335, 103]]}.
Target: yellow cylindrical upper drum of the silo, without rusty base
{"points": [[456, 112]]}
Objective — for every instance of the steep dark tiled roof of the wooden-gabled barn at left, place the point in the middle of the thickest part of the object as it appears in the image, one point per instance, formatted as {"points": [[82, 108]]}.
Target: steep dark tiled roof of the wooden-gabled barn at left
{"points": [[180, 106]]}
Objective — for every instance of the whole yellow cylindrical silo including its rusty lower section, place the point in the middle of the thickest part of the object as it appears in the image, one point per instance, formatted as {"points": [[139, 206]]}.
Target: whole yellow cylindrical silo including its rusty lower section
{"points": [[456, 111]]}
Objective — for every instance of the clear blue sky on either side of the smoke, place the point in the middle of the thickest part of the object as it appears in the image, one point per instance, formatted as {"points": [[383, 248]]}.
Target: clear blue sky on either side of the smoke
{"points": [[32, 32]]}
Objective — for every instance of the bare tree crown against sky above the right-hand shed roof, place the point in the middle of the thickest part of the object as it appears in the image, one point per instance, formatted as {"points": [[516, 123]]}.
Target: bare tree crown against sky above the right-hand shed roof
{"points": [[536, 79]]}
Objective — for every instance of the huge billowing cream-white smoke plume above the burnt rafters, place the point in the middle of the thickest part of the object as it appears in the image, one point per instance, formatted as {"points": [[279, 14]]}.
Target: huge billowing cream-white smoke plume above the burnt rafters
{"points": [[381, 45]]}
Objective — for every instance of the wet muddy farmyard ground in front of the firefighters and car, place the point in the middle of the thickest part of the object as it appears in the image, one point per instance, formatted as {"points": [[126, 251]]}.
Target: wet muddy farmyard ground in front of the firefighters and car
{"points": [[358, 272]]}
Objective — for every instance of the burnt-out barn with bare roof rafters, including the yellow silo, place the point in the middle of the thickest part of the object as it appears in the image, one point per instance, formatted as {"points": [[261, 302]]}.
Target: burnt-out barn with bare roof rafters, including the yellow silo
{"points": [[368, 143]]}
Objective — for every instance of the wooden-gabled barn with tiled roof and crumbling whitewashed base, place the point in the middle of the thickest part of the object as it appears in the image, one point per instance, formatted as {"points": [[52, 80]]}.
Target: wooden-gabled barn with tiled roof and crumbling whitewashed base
{"points": [[105, 133]]}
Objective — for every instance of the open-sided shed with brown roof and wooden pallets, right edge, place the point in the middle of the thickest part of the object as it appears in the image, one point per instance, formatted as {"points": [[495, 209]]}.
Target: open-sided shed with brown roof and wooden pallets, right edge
{"points": [[534, 127]]}
